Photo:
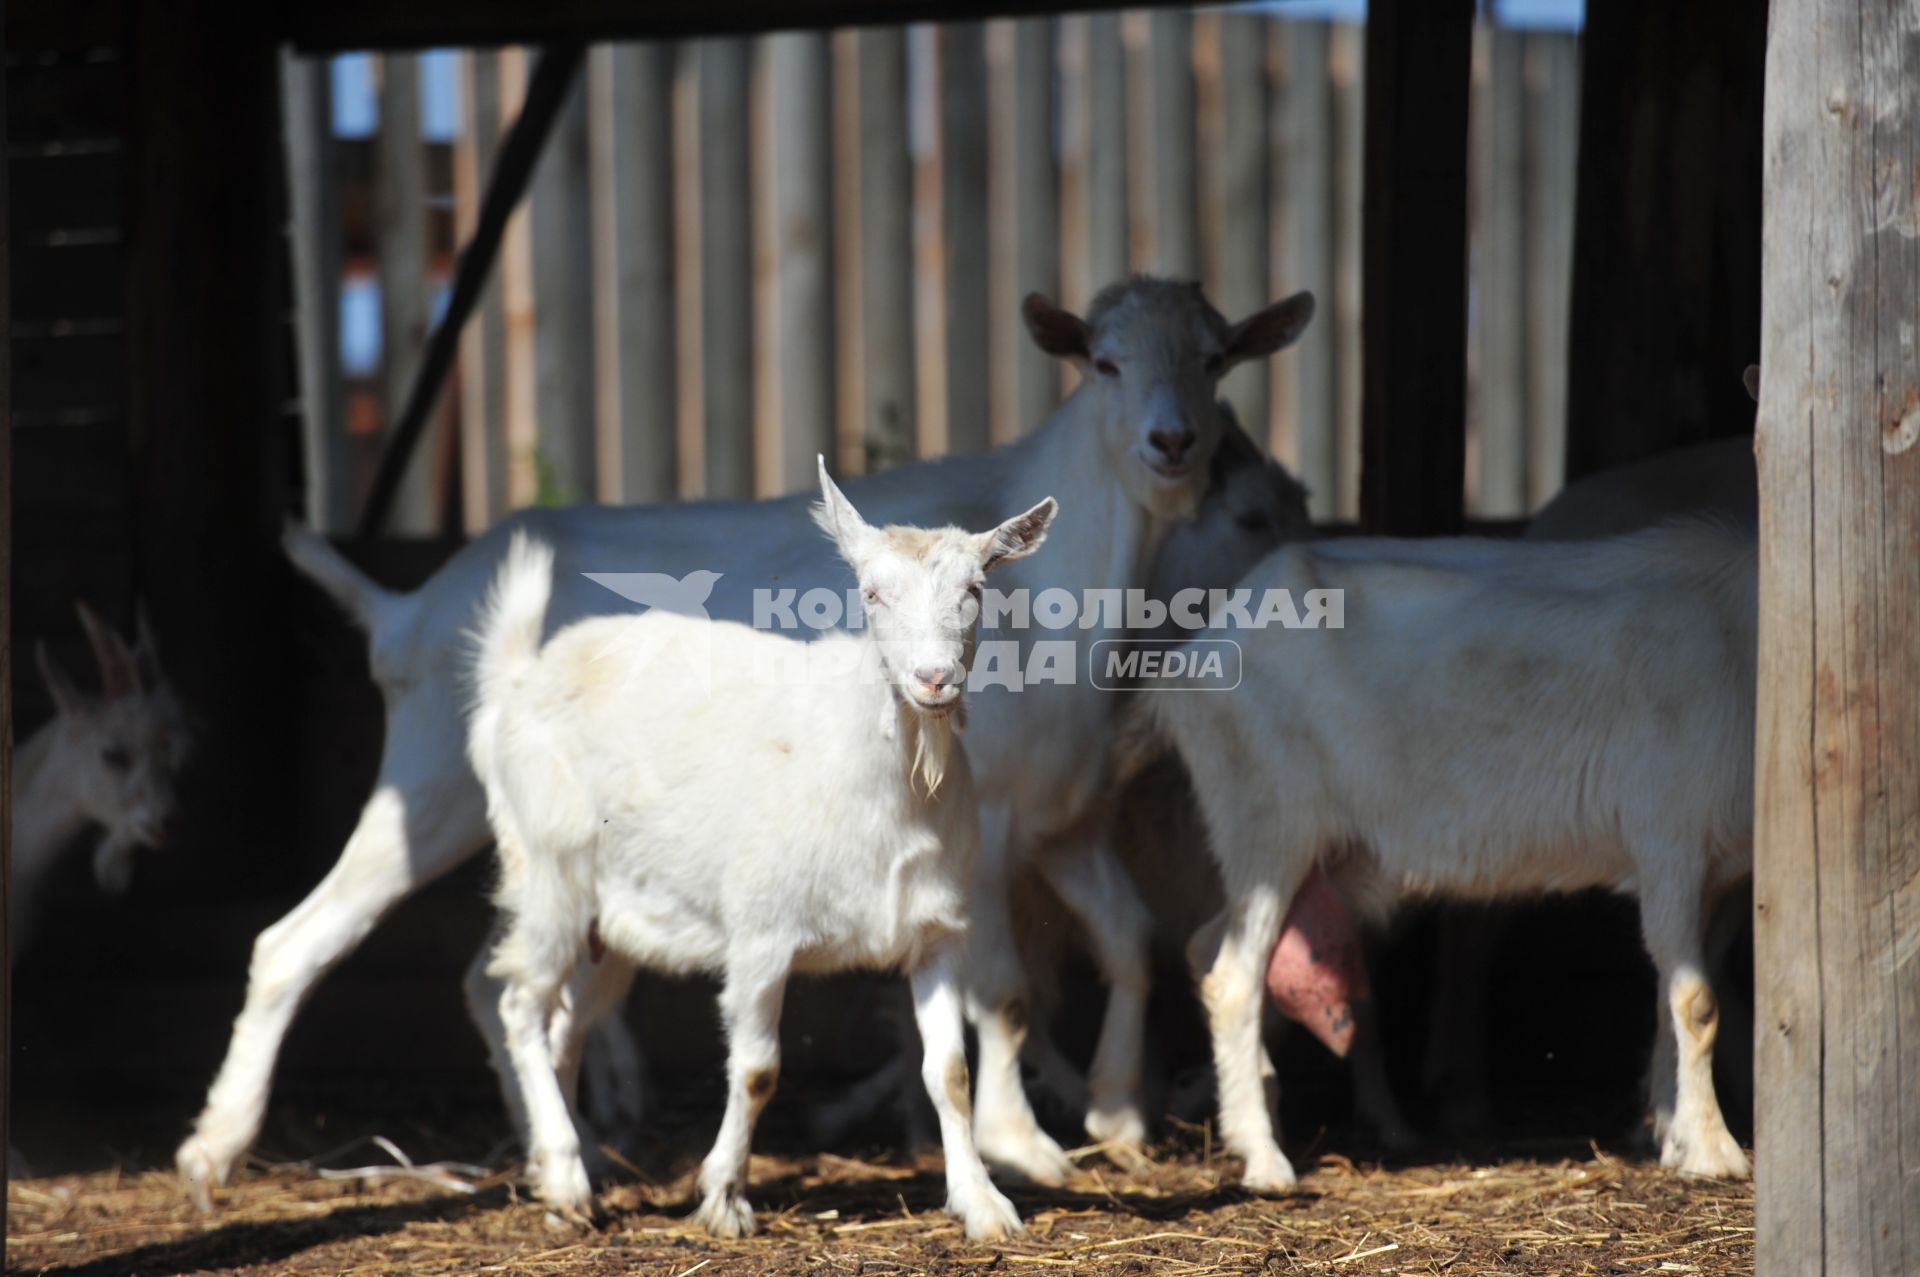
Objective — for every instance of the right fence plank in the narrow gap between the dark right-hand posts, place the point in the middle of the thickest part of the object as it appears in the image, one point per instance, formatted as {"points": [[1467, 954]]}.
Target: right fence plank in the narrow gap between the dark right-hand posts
{"points": [[1552, 137]]}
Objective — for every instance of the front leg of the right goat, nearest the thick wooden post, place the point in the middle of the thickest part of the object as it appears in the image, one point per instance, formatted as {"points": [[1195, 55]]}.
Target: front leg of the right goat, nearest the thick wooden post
{"points": [[1698, 1142]]}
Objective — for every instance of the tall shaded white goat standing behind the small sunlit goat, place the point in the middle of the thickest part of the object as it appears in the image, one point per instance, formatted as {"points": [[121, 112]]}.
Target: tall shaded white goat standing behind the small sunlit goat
{"points": [[1128, 452]]}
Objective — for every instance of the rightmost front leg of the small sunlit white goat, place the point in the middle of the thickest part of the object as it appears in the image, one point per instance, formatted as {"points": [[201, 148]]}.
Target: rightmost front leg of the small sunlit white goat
{"points": [[971, 1195]]}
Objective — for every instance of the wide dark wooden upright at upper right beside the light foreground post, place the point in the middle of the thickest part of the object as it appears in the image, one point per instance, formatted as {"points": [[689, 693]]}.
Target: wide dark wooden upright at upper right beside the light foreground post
{"points": [[1668, 229]]}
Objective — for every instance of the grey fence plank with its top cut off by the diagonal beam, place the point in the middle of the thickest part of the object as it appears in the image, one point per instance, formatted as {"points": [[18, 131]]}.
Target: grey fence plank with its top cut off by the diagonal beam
{"points": [[564, 310]]}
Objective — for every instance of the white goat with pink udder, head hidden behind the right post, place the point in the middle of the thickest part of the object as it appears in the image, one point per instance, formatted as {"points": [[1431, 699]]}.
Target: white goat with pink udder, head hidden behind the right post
{"points": [[1495, 719]]}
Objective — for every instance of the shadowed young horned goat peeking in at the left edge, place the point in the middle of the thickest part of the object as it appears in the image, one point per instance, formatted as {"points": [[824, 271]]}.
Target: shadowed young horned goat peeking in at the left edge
{"points": [[103, 761]]}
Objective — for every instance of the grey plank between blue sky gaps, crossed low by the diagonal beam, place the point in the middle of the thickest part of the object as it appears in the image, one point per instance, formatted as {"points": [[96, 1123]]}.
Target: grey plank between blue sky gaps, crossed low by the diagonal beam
{"points": [[400, 247]]}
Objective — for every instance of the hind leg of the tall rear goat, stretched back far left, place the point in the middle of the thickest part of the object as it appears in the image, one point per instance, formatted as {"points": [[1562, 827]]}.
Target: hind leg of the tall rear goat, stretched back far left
{"points": [[414, 829]]}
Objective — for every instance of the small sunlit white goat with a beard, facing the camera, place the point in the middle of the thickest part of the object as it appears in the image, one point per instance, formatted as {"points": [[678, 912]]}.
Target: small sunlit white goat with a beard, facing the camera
{"points": [[740, 821]]}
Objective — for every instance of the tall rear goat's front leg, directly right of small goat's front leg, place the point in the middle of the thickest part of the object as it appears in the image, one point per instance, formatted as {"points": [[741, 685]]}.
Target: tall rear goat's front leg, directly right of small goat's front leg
{"points": [[997, 994]]}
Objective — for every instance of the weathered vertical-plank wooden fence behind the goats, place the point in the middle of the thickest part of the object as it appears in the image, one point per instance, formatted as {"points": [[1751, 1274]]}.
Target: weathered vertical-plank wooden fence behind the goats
{"points": [[742, 253]]}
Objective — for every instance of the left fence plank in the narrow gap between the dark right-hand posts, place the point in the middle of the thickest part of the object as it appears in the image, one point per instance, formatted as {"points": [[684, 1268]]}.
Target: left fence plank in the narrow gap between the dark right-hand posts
{"points": [[1502, 291]]}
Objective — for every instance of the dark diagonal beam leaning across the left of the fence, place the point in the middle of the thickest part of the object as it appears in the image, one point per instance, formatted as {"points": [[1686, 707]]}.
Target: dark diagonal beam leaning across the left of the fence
{"points": [[517, 157]]}
